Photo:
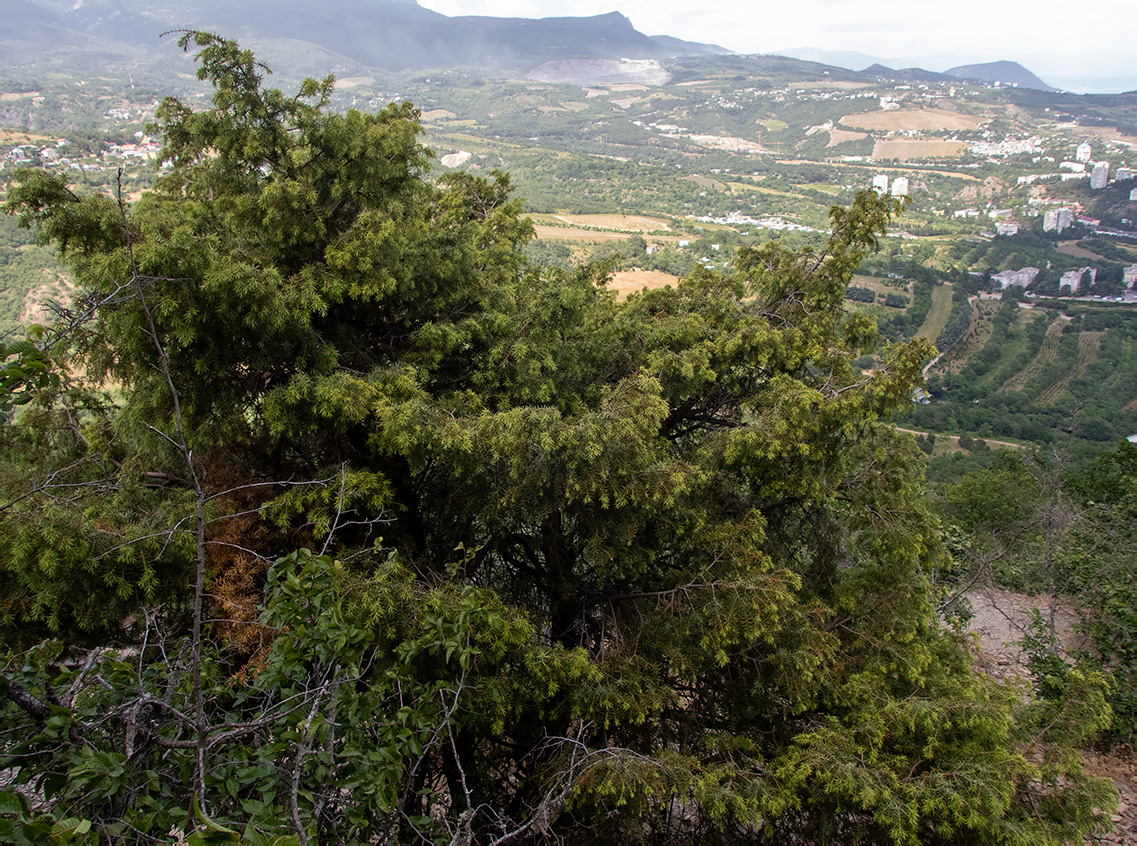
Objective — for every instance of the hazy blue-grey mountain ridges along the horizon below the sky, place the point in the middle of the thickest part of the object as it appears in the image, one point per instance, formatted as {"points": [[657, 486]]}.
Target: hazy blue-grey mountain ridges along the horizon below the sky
{"points": [[397, 36]]}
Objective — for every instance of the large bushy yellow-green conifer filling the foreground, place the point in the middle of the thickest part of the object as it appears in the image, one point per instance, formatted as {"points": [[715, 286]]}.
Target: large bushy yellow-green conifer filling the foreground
{"points": [[354, 526]]}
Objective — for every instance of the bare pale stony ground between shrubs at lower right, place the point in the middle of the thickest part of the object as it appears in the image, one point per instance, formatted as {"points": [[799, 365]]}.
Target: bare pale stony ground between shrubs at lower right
{"points": [[1000, 619]]}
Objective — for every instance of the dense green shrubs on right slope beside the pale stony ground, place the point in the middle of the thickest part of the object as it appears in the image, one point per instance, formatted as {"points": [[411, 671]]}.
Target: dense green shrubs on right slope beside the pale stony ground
{"points": [[1023, 524]]}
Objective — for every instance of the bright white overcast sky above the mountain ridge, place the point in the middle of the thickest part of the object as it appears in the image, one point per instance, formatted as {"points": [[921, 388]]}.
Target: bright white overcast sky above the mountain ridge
{"points": [[1060, 40]]}
